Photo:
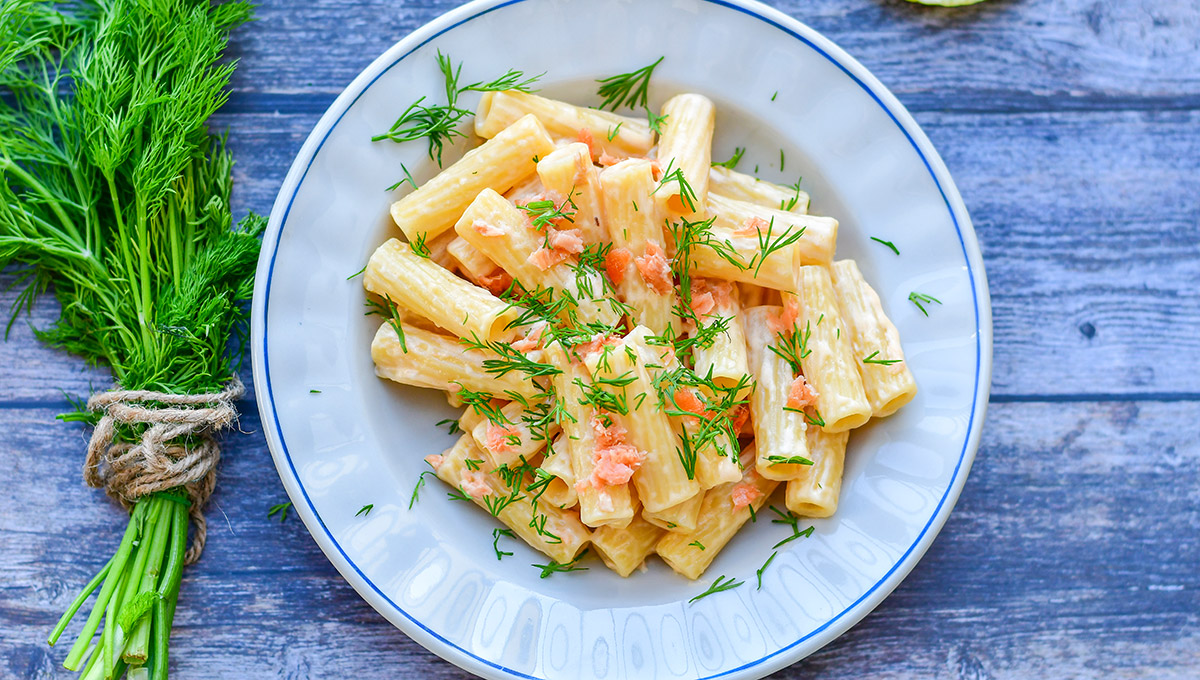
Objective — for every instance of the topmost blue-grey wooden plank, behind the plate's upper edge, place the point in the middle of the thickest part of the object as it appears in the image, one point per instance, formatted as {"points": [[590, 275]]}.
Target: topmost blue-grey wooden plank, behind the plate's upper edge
{"points": [[1000, 56]]}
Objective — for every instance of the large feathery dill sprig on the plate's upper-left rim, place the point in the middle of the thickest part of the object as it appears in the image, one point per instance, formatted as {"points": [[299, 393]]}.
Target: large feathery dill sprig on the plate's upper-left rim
{"points": [[440, 123]]}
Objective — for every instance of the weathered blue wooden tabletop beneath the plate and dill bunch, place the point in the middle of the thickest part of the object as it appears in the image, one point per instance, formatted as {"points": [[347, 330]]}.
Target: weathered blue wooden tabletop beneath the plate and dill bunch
{"points": [[1073, 131]]}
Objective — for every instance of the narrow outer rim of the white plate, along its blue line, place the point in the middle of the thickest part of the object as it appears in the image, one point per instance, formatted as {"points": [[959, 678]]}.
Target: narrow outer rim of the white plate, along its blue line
{"points": [[833, 55]]}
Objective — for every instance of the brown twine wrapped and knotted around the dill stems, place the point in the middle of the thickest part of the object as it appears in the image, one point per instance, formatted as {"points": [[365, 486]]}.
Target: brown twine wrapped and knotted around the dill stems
{"points": [[177, 450]]}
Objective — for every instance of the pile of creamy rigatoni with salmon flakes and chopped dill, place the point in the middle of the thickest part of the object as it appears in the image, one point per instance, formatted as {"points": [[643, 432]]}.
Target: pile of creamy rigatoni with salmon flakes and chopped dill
{"points": [[645, 346]]}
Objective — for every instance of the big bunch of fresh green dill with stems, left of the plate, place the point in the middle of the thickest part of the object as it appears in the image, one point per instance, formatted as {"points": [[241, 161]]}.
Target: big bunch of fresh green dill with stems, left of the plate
{"points": [[116, 197]]}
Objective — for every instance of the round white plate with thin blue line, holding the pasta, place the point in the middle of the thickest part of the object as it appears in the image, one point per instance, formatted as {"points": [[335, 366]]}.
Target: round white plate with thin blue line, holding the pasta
{"points": [[359, 441]]}
